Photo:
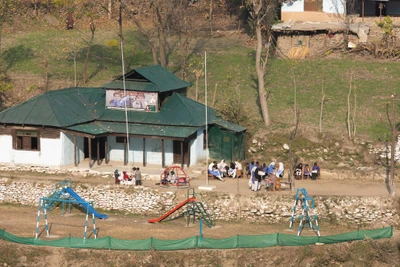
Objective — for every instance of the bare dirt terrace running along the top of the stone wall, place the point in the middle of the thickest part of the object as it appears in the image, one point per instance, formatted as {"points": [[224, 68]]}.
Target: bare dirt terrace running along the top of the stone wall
{"points": [[322, 187]]}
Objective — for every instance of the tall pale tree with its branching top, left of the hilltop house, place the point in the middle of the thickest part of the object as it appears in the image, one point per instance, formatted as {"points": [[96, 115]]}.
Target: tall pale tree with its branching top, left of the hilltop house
{"points": [[262, 12]]}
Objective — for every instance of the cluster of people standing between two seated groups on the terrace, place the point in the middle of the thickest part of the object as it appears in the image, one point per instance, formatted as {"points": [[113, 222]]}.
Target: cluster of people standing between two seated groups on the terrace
{"points": [[266, 173]]}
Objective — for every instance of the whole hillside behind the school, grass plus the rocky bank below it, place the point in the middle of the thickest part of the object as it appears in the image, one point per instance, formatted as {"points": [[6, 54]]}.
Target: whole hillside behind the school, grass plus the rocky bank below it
{"points": [[39, 56]]}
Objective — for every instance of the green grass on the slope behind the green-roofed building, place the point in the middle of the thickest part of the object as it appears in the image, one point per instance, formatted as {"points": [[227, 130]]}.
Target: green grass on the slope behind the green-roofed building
{"points": [[230, 64]]}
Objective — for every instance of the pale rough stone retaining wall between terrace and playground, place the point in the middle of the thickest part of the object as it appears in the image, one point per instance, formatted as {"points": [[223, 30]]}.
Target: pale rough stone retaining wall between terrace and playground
{"points": [[373, 211]]}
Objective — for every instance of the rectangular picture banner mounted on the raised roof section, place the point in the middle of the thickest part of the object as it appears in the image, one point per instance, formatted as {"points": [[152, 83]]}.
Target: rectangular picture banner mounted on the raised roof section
{"points": [[132, 100]]}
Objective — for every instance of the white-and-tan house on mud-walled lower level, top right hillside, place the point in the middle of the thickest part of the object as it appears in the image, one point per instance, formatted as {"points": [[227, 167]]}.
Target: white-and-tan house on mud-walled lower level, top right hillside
{"points": [[313, 28]]}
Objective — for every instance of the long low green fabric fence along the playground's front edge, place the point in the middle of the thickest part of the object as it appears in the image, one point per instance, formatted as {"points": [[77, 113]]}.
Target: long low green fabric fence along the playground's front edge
{"points": [[239, 241]]}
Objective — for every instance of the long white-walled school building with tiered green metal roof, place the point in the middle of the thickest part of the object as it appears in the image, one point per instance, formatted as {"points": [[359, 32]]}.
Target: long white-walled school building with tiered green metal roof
{"points": [[141, 118]]}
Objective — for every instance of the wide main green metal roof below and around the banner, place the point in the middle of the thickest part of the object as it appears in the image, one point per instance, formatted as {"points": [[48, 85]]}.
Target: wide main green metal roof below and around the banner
{"points": [[78, 108]]}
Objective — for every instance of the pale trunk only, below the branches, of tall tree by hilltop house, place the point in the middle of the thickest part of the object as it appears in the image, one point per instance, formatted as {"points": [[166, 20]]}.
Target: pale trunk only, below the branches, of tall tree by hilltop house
{"points": [[260, 77]]}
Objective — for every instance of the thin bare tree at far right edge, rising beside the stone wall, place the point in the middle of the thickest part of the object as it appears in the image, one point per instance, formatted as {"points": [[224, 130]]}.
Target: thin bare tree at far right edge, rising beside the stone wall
{"points": [[394, 127]]}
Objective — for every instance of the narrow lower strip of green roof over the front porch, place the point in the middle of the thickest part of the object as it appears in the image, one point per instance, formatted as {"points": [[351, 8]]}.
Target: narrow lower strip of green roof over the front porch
{"points": [[96, 128]]}
